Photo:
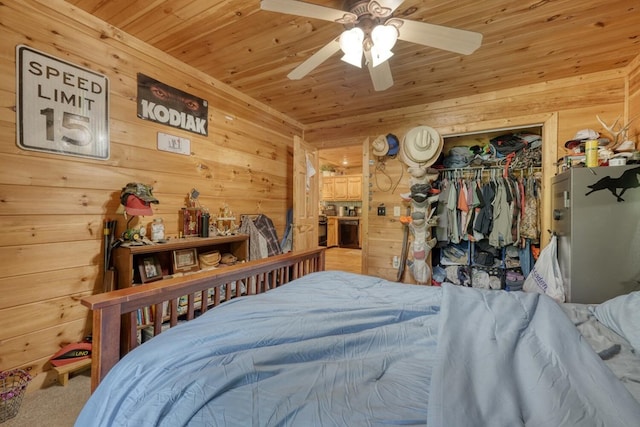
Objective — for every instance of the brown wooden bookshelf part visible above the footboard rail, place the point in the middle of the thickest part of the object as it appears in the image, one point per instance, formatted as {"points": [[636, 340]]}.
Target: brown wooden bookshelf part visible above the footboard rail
{"points": [[126, 259]]}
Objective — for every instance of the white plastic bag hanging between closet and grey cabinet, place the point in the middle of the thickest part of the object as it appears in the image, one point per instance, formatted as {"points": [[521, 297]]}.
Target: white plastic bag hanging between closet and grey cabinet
{"points": [[545, 277]]}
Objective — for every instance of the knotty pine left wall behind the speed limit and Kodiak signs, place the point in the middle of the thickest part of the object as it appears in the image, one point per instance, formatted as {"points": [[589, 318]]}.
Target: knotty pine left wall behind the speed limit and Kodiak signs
{"points": [[52, 206]]}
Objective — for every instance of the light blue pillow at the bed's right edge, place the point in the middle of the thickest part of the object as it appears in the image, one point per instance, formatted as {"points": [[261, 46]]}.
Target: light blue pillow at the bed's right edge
{"points": [[622, 315]]}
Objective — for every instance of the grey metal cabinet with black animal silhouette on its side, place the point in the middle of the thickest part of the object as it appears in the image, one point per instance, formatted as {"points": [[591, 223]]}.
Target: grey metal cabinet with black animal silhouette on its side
{"points": [[596, 216]]}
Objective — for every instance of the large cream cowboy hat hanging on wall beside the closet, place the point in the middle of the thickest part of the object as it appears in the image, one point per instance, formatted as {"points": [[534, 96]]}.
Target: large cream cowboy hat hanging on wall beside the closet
{"points": [[421, 146]]}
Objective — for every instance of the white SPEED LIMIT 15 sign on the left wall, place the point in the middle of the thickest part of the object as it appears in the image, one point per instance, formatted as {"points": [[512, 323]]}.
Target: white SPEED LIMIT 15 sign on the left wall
{"points": [[61, 108]]}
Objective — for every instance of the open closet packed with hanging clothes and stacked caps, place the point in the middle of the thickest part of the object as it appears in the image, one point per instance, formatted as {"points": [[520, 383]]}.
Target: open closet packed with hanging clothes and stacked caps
{"points": [[489, 212]]}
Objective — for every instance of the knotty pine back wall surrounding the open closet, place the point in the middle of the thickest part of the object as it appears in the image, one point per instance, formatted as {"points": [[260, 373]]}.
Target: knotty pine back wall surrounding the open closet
{"points": [[565, 106]]}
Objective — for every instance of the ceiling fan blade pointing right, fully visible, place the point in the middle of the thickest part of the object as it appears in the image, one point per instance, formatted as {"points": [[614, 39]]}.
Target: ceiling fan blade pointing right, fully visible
{"points": [[438, 36]]}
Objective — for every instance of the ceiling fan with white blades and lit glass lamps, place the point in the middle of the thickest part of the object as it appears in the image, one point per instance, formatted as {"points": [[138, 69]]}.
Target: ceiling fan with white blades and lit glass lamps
{"points": [[371, 31]]}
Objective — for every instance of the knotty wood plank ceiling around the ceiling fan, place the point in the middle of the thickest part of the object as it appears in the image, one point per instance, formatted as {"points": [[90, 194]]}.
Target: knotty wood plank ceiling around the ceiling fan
{"points": [[525, 42]]}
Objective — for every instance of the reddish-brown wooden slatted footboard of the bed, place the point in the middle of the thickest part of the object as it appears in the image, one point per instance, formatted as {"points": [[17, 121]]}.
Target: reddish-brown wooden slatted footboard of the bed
{"points": [[114, 309]]}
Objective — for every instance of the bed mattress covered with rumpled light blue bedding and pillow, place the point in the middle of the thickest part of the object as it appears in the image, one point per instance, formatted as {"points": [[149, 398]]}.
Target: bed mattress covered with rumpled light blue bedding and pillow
{"points": [[332, 348]]}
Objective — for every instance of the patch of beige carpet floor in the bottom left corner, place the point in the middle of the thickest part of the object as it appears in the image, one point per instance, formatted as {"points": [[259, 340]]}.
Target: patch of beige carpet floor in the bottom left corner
{"points": [[54, 406]]}
